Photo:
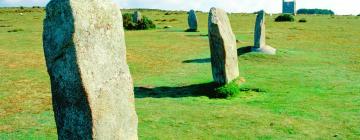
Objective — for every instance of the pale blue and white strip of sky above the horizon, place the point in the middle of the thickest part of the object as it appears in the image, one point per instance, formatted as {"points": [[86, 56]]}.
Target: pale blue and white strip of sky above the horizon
{"points": [[273, 6]]}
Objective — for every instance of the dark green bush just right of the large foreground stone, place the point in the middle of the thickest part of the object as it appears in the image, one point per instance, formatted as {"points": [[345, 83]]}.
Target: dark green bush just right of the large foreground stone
{"points": [[144, 24]]}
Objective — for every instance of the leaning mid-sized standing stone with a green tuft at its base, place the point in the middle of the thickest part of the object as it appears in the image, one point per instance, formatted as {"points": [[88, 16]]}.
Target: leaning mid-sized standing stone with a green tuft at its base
{"points": [[224, 59]]}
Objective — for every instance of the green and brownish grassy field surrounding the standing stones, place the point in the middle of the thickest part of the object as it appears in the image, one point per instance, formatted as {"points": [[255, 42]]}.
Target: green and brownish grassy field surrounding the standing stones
{"points": [[309, 90]]}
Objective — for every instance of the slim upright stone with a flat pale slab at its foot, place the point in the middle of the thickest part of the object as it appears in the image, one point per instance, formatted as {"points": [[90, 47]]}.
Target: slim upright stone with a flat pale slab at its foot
{"points": [[260, 38]]}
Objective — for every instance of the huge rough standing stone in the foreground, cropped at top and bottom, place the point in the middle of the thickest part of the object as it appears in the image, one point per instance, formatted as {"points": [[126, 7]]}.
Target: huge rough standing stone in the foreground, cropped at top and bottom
{"points": [[92, 89]]}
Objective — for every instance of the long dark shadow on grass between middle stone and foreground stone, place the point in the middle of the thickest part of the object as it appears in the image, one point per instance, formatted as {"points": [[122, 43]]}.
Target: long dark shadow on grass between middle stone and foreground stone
{"points": [[196, 90]]}
